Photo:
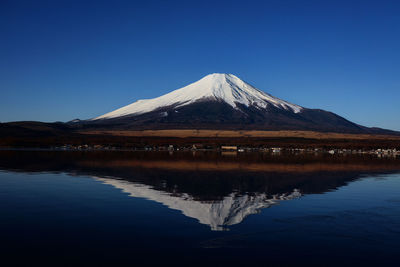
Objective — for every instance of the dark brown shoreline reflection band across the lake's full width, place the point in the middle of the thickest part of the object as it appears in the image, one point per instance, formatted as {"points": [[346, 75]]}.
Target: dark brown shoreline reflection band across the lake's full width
{"points": [[252, 162]]}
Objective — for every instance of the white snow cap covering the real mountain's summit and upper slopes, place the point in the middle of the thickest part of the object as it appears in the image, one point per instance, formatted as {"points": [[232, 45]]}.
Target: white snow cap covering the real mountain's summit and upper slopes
{"points": [[218, 87]]}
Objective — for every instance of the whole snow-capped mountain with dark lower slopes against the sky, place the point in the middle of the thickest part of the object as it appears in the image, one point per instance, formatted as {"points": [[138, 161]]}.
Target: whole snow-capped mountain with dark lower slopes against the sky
{"points": [[223, 101]]}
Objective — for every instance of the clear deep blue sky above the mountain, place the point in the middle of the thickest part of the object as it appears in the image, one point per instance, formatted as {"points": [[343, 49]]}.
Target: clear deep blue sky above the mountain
{"points": [[61, 60]]}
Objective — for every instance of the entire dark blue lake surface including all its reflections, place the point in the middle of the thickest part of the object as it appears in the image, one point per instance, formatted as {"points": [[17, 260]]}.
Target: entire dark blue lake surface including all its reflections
{"points": [[132, 209]]}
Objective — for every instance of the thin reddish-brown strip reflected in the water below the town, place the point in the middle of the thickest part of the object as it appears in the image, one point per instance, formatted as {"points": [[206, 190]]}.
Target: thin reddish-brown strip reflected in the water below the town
{"points": [[185, 165]]}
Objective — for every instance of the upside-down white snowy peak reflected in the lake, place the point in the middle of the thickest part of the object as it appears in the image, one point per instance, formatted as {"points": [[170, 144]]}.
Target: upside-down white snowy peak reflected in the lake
{"points": [[230, 210]]}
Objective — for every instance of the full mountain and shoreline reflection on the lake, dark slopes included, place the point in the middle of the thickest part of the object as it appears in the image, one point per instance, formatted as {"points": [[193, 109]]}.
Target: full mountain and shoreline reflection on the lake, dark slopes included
{"points": [[217, 191]]}
